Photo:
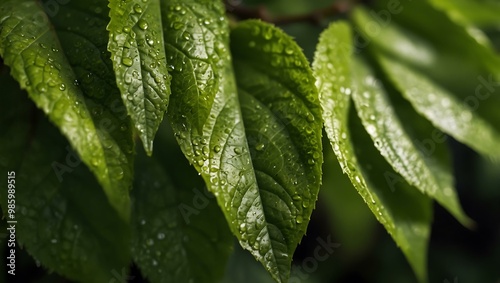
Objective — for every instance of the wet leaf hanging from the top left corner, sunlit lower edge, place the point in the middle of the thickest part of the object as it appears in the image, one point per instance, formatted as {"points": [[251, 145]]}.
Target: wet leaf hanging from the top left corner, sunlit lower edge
{"points": [[60, 62]]}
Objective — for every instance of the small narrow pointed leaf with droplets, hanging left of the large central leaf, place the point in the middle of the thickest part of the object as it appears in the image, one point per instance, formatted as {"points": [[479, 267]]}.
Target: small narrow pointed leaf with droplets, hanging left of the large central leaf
{"points": [[138, 53]]}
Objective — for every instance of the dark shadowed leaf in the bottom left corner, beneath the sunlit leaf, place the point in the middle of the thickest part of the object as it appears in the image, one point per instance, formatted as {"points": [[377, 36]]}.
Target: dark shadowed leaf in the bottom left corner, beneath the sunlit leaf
{"points": [[55, 223]]}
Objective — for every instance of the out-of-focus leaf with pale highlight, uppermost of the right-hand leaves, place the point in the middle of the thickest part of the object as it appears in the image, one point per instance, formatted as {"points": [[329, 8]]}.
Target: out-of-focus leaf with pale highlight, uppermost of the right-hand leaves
{"points": [[456, 60]]}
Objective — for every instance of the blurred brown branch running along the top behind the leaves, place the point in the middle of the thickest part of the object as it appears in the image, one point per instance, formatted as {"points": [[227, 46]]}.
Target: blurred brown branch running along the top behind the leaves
{"points": [[315, 17]]}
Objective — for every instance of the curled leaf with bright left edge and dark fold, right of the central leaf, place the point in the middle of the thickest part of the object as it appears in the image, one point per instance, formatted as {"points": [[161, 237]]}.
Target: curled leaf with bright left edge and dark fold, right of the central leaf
{"points": [[404, 212]]}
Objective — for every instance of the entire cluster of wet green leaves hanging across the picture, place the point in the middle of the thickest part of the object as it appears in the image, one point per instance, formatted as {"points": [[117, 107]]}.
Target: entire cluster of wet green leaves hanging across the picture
{"points": [[247, 111]]}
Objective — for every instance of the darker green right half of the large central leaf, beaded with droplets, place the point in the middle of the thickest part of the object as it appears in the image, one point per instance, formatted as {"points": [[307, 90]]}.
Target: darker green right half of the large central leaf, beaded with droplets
{"points": [[282, 118]]}
